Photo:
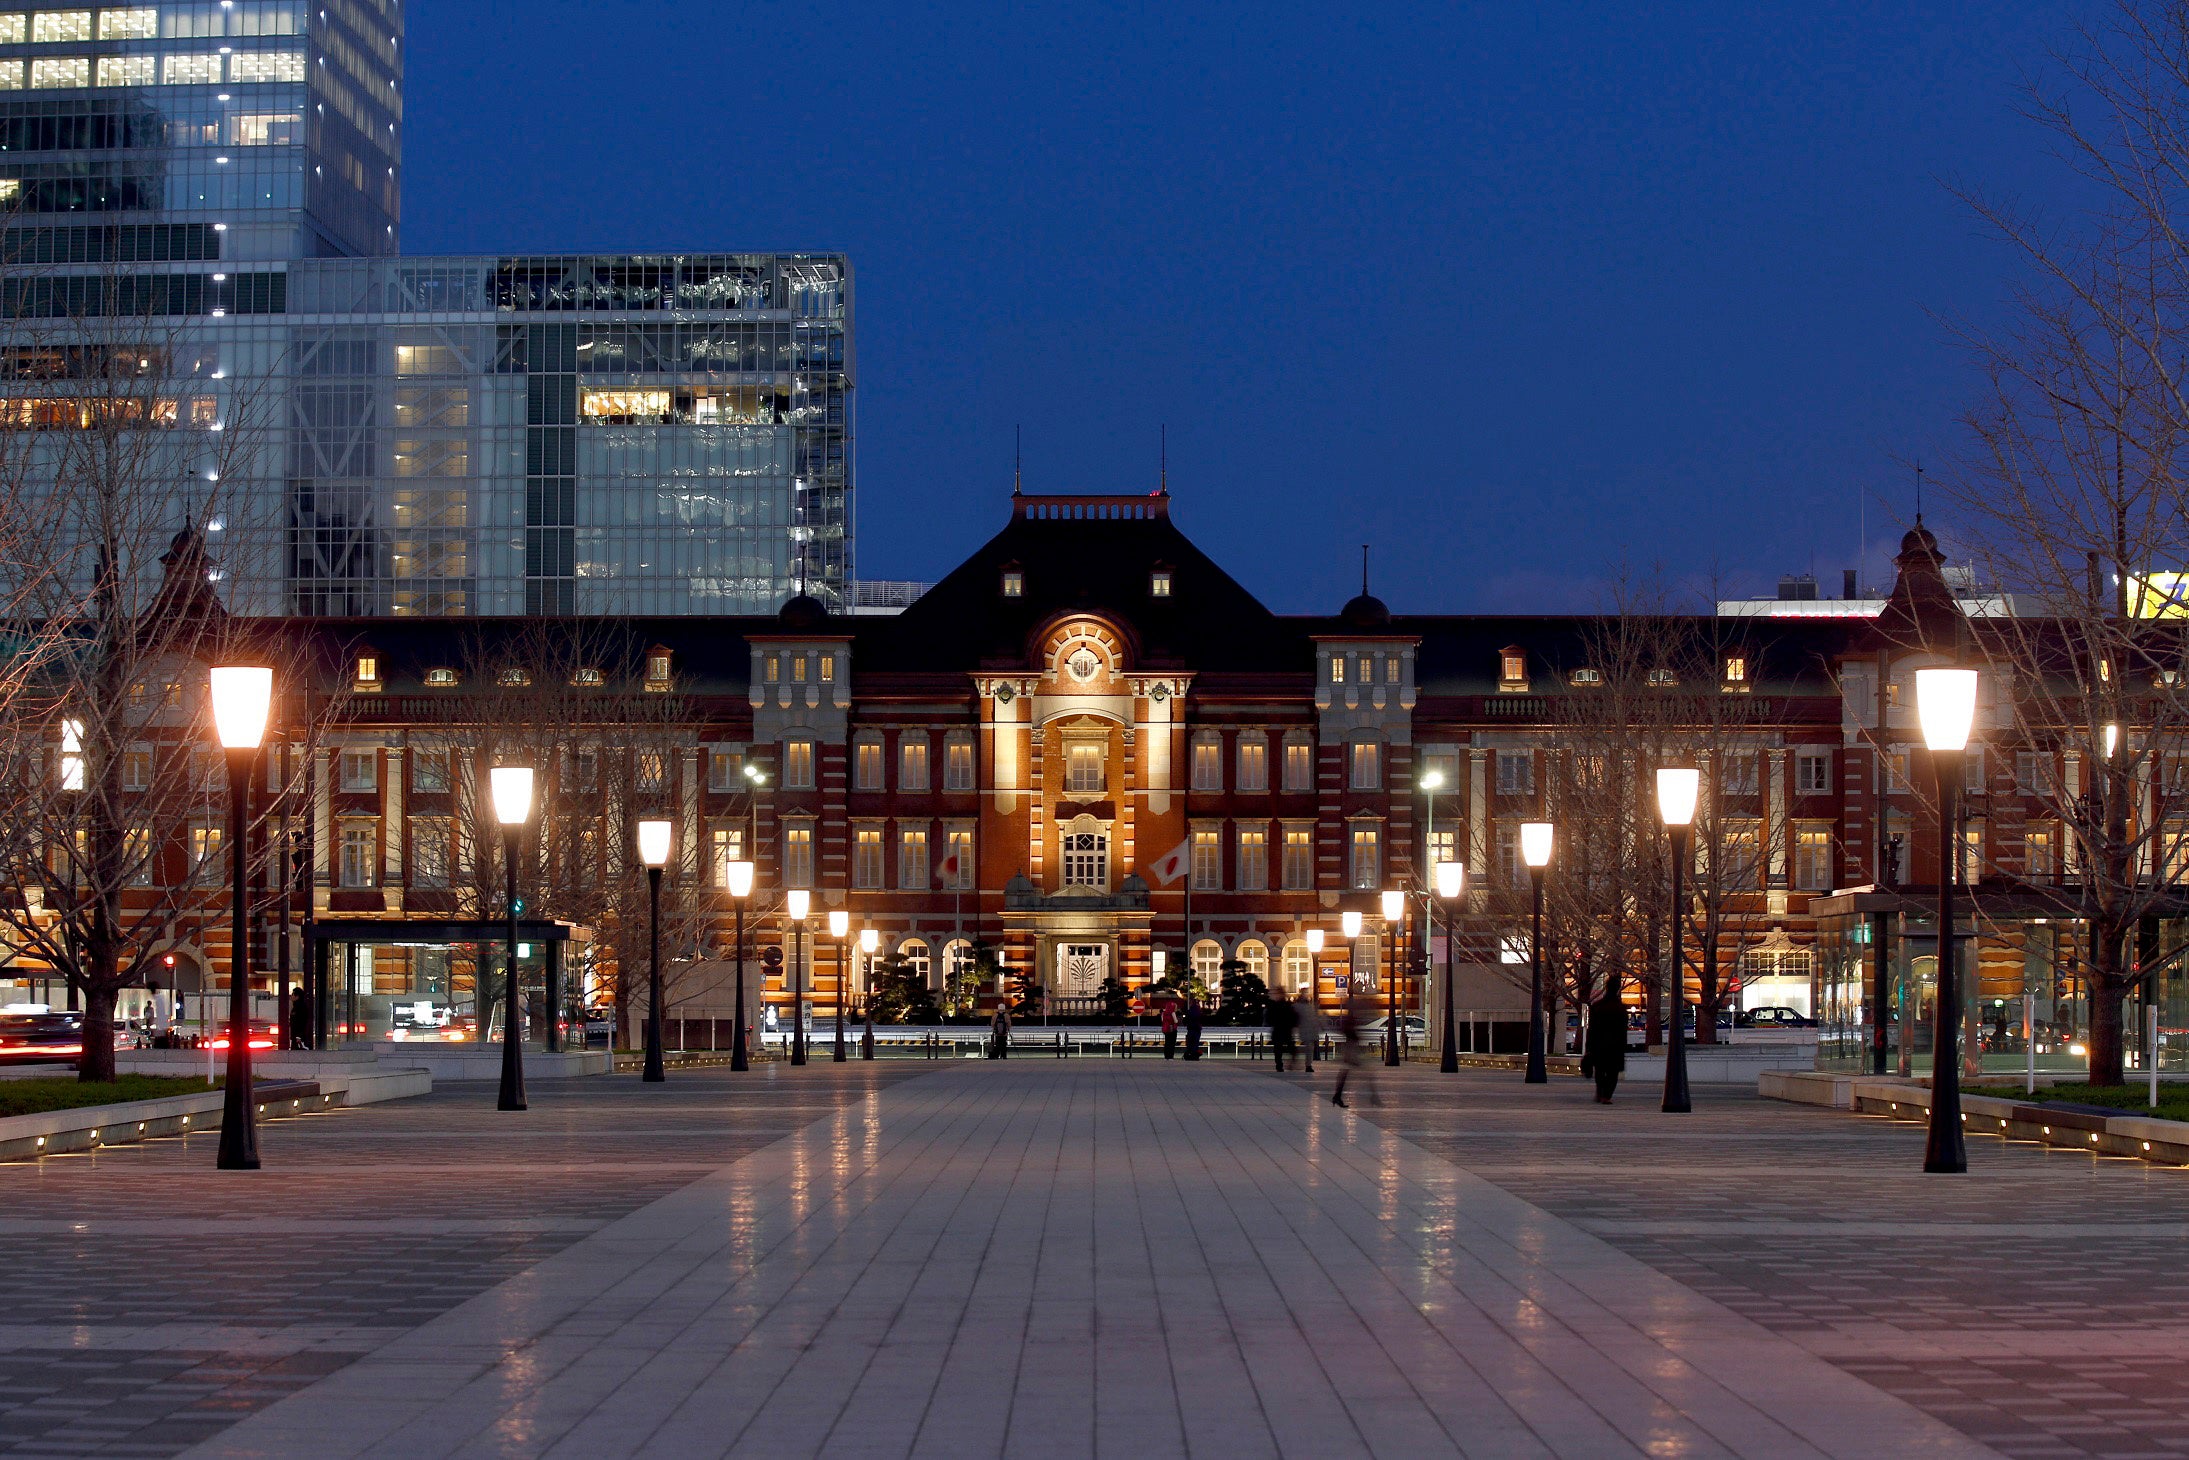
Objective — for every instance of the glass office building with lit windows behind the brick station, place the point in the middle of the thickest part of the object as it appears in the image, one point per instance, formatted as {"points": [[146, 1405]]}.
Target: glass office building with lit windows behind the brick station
{"points": [[216, 192]]}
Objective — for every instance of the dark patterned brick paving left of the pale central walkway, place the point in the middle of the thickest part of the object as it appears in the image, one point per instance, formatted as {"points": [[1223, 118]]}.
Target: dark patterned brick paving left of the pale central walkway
{"points": [[356, 1231]]}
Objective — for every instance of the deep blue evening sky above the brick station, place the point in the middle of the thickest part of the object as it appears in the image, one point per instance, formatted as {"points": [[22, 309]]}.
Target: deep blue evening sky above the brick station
{"points": [[1507, 290]]}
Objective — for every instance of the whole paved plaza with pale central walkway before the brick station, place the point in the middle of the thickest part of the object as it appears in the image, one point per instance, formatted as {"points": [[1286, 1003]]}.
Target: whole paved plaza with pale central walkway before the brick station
{"points": [[1091, 1258]]}
